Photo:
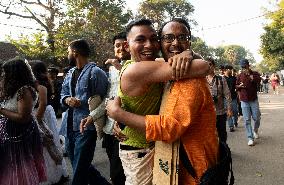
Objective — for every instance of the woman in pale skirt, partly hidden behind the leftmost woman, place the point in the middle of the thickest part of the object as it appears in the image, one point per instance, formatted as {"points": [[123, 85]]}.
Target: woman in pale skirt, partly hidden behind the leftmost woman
{"points": [[55, 164]]}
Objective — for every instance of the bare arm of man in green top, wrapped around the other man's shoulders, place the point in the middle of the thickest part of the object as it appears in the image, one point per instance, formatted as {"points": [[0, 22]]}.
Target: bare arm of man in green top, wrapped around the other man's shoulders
{"points": [[138, 76]]}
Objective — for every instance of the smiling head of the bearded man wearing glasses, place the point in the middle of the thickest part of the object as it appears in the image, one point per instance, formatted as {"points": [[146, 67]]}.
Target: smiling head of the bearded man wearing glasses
{"points": [[175, 39]]}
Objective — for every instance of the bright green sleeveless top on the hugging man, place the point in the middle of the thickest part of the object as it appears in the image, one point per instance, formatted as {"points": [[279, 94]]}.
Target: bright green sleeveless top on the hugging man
{"points": [[147, 104]]}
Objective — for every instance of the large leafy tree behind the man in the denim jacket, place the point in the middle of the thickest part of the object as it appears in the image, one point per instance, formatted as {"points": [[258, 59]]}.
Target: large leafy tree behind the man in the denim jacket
{"points": [[94, 20]]}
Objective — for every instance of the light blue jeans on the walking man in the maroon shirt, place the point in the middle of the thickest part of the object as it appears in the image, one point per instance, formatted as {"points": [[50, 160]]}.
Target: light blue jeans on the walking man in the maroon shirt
{"points": [[251, 109]]}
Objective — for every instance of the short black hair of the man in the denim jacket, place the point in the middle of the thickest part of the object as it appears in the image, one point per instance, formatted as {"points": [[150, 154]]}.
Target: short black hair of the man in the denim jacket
{"points": [[81, 46]]}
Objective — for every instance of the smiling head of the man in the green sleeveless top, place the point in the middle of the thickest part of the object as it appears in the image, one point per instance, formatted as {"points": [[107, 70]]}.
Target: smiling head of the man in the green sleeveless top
{"points": [[142, 43]]}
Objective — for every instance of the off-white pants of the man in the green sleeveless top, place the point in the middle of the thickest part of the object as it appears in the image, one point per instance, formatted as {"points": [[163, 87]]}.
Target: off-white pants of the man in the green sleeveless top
{"points": [[138, 168]]}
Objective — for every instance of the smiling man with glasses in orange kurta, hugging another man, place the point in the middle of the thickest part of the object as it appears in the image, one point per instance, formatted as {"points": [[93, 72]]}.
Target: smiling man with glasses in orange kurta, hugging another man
{"points": [[187, 111]]}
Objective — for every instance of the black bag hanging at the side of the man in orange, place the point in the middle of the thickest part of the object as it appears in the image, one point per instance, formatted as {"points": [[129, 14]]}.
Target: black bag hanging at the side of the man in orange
{"points": [[216, 175]]}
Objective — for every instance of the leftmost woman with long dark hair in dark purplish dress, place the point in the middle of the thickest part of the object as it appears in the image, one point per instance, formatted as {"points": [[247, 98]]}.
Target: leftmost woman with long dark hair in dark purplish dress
{"points": [[21, 155]]}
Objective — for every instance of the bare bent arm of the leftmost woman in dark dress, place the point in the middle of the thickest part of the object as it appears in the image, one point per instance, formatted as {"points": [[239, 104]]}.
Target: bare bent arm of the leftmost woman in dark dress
{"points": [[25, 107]]}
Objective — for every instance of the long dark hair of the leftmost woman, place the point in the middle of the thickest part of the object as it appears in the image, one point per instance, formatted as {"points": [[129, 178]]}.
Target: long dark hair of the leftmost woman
{"points": [[17, 73]]}
